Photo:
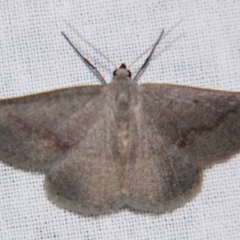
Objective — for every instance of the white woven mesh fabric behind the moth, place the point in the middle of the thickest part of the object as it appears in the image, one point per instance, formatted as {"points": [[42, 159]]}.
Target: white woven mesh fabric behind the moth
{"points": [[204, 51]]}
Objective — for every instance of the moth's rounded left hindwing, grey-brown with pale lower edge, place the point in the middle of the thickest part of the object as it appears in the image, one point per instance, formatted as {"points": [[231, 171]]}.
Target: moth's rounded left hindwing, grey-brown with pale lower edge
{"points": [[86, 178]]}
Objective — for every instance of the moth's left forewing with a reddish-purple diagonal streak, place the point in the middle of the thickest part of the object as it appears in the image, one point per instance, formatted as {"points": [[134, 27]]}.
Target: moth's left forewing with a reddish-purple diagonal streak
{"points": [[36, 129]]}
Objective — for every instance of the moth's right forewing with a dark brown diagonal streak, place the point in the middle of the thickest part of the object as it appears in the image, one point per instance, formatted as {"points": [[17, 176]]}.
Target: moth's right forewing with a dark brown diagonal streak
{"points": [[203, 123]]}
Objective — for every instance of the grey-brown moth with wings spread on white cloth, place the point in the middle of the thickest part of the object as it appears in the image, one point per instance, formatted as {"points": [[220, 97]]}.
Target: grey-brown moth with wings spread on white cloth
{"points": [[121, 144]]}
